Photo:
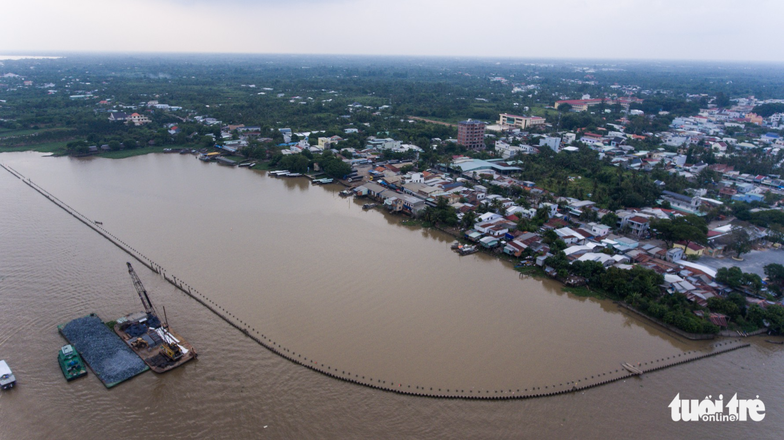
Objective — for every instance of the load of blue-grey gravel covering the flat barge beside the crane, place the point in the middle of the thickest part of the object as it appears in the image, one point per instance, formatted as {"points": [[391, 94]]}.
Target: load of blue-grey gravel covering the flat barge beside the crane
{"points": [[106, 354]]}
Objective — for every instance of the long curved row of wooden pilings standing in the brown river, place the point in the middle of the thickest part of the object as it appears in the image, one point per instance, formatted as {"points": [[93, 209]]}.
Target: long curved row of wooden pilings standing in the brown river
{"points": [[397, 387]]}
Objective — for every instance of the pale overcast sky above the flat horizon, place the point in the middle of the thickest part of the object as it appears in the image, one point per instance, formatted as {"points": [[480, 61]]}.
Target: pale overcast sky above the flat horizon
{"points": [[640, 29]]}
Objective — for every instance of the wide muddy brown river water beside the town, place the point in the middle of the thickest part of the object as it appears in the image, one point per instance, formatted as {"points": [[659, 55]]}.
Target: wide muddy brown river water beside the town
{"points": [[348, 288]]}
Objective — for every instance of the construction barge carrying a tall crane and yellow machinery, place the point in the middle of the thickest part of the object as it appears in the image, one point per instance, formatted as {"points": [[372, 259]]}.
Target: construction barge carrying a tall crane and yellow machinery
{"points": [[152, 340]]}
